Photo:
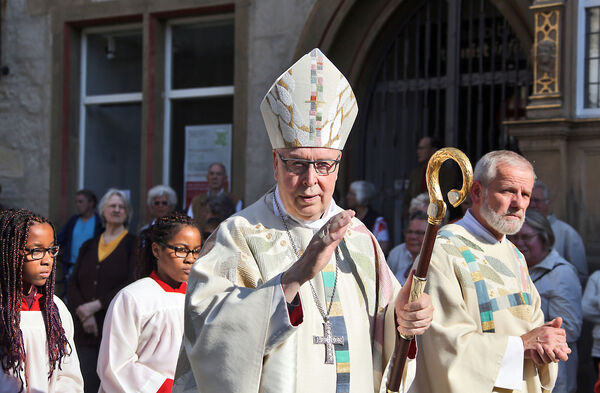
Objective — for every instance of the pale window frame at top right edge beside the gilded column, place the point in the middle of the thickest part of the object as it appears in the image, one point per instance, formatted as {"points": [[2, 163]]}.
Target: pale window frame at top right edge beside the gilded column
{"points": [[580, 110]]}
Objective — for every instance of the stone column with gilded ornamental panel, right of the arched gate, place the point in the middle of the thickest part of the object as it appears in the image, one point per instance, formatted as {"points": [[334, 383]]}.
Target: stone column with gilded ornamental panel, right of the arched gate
{"points": [[564, 149]]}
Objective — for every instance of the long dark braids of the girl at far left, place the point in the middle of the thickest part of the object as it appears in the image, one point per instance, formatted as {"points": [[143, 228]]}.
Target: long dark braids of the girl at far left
{"points": [[14, 232]]}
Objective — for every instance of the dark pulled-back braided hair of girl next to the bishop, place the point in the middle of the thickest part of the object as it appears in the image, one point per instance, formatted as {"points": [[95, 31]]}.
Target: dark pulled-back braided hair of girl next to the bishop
{"points": [[161, 232]]}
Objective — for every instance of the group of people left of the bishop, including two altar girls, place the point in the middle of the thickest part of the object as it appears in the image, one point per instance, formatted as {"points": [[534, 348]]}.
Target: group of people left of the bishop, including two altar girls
{"points": [[120, 283]]}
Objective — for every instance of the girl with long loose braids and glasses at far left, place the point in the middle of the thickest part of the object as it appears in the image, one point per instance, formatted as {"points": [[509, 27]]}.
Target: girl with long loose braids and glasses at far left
{"points": [[36, 330]]}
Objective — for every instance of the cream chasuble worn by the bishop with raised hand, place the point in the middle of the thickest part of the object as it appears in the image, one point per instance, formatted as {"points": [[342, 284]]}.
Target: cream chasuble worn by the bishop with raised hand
{"points": [[232, 342]]}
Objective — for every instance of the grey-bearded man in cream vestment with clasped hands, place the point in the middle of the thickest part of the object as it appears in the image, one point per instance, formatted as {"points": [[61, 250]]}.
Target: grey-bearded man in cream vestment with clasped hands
{"points": [[488, 332]]}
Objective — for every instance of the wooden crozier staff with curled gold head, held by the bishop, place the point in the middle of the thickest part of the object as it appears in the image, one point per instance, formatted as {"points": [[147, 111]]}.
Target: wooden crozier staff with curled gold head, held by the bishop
{"points": [[435, 213]]}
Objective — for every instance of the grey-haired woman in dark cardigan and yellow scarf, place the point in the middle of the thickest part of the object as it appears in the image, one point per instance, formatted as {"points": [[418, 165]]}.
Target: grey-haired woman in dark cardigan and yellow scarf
{"points": [[104, 266]]}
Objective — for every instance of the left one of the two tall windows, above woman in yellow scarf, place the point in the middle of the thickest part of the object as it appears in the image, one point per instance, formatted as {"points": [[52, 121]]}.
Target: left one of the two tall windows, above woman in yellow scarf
{"points": [[110, 110]]}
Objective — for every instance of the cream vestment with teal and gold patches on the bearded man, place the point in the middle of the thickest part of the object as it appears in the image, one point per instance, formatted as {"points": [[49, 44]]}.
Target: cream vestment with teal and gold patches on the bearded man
{"points": [[471, 280]]}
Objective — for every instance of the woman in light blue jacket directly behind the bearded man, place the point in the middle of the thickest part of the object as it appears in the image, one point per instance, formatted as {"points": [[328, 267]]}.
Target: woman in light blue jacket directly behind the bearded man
{"points": [[557, 282]]}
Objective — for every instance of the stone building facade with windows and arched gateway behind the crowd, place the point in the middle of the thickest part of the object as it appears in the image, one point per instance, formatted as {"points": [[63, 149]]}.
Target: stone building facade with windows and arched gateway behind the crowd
{"points": [[55, 137]]}
